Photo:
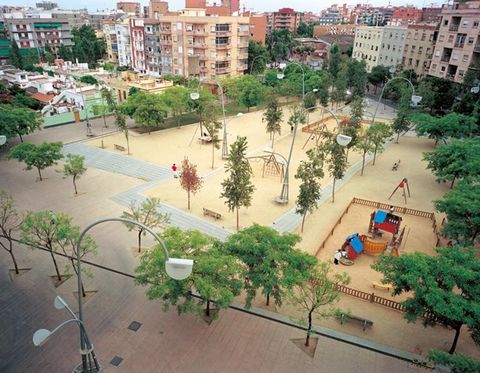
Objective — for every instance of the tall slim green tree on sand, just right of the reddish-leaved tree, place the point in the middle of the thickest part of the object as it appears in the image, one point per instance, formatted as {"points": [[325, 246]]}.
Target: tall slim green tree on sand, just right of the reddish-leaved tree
{"points": [[238, 187]]}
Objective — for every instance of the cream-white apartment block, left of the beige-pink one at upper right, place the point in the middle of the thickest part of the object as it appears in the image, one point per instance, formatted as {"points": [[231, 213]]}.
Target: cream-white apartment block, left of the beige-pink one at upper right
{"points": [[379, 45]]}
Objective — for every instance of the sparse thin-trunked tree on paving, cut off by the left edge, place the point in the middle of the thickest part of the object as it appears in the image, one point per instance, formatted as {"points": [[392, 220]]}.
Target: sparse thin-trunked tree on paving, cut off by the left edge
{"points": [[10, 222]]}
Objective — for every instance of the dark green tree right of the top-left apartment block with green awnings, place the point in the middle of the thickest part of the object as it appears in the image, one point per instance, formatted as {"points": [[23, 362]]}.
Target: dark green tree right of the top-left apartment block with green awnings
{"points": [[86, 46]]}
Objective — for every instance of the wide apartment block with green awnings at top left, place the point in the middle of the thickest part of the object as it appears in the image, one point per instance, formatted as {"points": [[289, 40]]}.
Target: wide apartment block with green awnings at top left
{"points": [[38, 32]]}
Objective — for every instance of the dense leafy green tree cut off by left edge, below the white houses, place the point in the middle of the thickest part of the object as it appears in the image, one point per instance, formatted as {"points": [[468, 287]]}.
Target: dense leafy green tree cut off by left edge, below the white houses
{"points": [[18, 121]]}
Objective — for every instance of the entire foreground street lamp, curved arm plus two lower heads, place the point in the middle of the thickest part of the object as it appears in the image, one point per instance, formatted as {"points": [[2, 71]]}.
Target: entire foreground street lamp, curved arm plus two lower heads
{"points": [[178, 269]]}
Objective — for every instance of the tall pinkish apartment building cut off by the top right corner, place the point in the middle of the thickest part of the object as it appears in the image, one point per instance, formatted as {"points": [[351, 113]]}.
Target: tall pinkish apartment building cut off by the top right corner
{"points": [[457, 48]]}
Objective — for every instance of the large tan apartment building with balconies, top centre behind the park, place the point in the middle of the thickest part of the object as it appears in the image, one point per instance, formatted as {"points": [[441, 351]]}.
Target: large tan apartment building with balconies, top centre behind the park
{"points": [[193, 44]]}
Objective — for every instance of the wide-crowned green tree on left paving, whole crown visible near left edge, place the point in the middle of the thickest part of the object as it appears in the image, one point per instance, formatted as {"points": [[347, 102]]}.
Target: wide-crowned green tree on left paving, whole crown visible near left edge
{"points": [[38, 156]]}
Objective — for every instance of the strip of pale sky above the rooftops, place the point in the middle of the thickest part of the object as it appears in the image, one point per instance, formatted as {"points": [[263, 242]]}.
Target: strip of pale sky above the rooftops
{"points": [[258, 5]]}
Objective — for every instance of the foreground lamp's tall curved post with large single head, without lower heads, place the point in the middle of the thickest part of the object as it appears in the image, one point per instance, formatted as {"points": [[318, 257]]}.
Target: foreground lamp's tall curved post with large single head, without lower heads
{"points": [[178, 269]]}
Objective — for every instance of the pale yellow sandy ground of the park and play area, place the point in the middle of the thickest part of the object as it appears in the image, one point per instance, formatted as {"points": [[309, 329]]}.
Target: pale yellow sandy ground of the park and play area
{"points": [[378, 182]]}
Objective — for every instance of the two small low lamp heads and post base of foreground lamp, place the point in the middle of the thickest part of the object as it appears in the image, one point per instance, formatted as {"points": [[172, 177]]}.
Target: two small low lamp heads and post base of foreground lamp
{"points": [[88, 355]]}
